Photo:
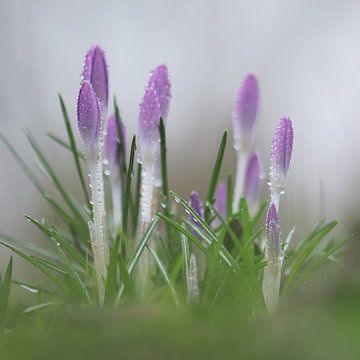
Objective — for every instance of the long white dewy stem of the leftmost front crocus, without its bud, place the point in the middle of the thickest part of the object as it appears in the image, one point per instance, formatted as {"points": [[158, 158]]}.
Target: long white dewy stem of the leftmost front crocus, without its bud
{"points": [[97, 227]]}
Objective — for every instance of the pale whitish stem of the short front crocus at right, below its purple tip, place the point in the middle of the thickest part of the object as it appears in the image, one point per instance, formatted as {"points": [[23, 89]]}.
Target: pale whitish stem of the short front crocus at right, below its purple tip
{"points": [[271, 279]]}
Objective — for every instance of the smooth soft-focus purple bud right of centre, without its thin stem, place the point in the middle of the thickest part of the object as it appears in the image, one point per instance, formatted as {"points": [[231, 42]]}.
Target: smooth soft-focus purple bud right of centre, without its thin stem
{"points": [[245, 111]]}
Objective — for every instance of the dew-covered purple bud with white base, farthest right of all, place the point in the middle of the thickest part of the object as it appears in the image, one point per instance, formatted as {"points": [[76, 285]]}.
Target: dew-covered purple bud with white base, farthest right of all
{"points": [[280, 156]]}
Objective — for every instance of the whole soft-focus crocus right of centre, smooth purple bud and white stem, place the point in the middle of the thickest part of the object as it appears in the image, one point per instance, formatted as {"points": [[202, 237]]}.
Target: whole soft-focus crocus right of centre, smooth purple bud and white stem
{"points": [[244, 116]]}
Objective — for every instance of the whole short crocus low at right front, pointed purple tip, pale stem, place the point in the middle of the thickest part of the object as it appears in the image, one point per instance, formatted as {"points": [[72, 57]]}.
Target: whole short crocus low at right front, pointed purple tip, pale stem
{"points": [[273, 256]]}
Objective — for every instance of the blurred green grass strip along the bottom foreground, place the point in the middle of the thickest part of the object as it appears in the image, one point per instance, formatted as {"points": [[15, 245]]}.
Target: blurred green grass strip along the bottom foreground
{"points": [[321, 322]]}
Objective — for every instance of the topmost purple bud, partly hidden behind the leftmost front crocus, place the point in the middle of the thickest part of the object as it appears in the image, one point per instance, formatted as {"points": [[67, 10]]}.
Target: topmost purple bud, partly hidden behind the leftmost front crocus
{"points": [[96, 73]]}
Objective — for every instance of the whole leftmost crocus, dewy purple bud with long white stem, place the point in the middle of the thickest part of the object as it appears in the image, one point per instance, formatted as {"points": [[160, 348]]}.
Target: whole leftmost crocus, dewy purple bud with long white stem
{"points": [[89, 125]]}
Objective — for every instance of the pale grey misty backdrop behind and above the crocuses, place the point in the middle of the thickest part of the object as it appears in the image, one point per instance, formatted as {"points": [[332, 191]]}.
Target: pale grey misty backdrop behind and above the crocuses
{"points": [[306, 55]]}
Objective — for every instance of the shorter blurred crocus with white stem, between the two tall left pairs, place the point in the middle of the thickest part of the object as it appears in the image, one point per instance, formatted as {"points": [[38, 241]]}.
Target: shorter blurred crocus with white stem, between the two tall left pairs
{"points": [[111, 151]]}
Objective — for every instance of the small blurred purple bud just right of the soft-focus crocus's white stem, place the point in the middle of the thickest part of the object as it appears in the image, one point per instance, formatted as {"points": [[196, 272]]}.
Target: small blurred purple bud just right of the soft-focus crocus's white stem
{"points": [[252, 179]]}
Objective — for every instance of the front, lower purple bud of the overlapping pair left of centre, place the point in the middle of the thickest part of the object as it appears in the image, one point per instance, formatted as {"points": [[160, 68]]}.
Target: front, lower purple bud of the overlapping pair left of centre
{"points": [[148, 134]]}
